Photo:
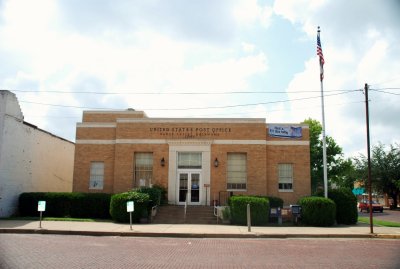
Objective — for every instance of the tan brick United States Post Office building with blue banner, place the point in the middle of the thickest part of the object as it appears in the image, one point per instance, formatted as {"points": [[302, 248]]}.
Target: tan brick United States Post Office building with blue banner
{"points": [[201, 159]]}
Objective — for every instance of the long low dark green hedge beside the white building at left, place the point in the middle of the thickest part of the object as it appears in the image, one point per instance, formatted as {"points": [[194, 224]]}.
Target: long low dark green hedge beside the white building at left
{"points": [[65, 204]]}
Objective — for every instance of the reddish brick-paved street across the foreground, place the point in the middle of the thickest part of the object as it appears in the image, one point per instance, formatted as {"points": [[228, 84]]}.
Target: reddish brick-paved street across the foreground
{"points": [[59, 251]]}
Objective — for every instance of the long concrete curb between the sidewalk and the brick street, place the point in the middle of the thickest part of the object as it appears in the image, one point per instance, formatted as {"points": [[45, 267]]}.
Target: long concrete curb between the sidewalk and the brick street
{"points": [[197, 235]]}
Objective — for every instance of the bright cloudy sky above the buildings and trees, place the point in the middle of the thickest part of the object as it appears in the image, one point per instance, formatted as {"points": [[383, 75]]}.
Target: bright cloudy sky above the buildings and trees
{"points": [[206, 59]]}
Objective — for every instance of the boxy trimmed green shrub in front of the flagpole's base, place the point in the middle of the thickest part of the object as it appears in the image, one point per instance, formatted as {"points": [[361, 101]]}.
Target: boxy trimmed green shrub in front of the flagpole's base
{"points": [[317, 211]]}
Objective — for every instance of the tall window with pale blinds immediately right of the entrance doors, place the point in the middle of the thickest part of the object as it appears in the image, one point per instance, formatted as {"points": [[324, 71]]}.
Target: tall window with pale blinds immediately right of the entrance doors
{"points": [[237, 171]]}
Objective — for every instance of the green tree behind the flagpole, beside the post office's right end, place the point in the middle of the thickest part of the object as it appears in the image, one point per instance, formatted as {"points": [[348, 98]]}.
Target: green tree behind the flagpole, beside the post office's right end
{"points": [[340, 170]]}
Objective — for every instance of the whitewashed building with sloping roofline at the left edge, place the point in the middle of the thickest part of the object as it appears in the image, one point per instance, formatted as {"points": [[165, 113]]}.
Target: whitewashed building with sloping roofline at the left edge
{"points": [[31, 159]]}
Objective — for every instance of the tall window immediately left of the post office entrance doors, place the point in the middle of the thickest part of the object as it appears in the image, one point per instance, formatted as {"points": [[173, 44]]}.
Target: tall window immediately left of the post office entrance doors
{"points": [[143, 169]]}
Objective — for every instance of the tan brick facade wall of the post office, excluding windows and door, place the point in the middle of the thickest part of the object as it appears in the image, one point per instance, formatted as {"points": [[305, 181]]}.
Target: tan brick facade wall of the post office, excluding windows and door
{"points": [[262, 160]]}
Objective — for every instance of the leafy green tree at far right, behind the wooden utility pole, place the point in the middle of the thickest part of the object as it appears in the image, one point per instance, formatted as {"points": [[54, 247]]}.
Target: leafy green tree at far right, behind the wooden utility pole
{"points": [[385, 170]]}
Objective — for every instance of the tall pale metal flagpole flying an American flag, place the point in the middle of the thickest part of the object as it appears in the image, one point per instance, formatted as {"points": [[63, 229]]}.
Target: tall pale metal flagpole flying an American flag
{"points": [[321, 63]]}
